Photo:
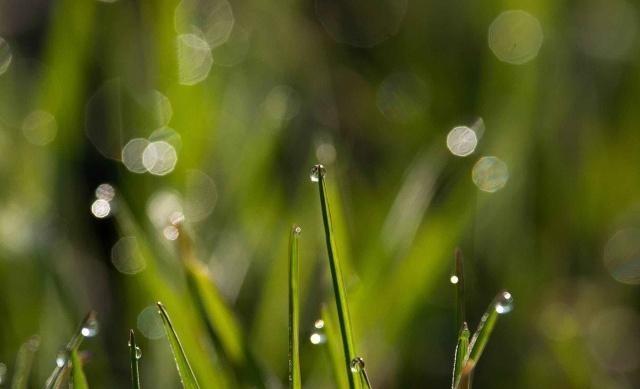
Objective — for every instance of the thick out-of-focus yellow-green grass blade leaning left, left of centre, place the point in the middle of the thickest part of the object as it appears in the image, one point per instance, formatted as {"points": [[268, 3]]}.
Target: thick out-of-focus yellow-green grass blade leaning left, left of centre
{"points": [[221, 322]]}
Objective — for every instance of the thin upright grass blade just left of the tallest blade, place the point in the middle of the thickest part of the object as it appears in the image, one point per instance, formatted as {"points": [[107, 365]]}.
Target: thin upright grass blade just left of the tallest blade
{"points": [[294, 311]]}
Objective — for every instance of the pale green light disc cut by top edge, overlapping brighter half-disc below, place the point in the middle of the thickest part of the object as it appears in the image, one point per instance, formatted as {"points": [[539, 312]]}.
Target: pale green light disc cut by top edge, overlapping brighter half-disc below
{"points": [[212, 19]]}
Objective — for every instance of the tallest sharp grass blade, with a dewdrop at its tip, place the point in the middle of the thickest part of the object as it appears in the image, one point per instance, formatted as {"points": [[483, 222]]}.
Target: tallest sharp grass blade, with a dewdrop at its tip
{"points": [[317, 174]]}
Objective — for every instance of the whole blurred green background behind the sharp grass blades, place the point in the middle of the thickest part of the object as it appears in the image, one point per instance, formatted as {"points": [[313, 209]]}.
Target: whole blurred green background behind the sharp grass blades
{"points": [[230, 104]]}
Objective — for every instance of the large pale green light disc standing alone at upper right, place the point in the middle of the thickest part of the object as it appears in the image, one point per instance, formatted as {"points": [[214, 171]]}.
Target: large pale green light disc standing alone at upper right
{"points": [[515, 37]]}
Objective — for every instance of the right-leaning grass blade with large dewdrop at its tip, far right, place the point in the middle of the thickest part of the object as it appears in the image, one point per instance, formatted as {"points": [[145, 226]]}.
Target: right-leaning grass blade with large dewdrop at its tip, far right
{"points": [[501, 304]]}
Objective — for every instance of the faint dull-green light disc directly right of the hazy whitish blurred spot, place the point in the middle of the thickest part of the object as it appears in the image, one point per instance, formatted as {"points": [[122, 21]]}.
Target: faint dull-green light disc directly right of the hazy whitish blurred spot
{"points": [[201, 196]]}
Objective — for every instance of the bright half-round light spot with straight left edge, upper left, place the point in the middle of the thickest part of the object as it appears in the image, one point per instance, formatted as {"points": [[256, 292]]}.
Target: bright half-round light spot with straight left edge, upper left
{"points": [[194, 59]]}
